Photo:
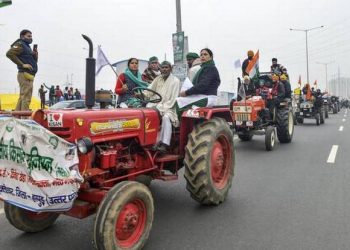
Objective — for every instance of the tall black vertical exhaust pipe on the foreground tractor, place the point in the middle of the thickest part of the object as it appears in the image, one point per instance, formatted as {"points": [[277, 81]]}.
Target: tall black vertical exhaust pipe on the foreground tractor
{"points": [[90, 76]]}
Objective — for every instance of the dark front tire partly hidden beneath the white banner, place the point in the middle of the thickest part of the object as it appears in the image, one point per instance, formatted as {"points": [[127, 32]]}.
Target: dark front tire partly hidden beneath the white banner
{"points": [[28, 221]]}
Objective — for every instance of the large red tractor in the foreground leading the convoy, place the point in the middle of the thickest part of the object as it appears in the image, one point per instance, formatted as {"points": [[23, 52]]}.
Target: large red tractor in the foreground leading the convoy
{"points": [[117, 163]]}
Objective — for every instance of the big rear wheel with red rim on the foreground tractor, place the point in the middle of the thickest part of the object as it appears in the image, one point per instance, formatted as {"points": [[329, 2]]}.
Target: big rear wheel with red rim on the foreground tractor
{"points": [[209, 161]]}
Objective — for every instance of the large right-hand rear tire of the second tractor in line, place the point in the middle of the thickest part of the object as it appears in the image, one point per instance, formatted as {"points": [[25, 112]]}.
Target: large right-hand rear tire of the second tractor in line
{"points": [[285, 125]]}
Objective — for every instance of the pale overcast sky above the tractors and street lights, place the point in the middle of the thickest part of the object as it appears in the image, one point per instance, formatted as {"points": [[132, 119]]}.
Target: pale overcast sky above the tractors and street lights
{"points": [[135, 28]]}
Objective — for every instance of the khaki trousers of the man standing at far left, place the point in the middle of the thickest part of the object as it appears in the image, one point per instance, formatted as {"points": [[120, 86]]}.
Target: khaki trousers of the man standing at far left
{"points": [[25, 92]]}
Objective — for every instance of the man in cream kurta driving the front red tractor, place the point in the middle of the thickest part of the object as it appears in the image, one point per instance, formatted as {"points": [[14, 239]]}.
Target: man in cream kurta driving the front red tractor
{"points": [[168, 86]]}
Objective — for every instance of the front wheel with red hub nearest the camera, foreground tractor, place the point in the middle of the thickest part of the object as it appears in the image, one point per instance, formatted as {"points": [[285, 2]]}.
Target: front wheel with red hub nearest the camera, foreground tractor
{"points": [[124, 218]]}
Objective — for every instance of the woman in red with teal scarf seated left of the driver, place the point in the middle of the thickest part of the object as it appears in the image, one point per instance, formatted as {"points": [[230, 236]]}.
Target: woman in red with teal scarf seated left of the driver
{"points": [[127, 81]]}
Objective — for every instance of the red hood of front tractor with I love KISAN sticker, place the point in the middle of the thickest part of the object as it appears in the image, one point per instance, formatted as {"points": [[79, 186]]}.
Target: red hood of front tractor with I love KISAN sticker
{"points": [[102, 125]]}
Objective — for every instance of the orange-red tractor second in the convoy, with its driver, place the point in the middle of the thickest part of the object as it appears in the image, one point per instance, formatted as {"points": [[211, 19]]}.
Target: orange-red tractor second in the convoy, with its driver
{"points": [[263, 114]]}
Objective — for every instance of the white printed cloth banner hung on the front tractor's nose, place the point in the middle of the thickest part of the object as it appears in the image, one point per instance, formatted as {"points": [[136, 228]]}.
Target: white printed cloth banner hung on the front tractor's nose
{"points": [[38, 170]]}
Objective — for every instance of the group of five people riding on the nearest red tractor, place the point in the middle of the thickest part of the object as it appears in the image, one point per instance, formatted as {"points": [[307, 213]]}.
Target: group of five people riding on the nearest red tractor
{"points": [[158, 78]]}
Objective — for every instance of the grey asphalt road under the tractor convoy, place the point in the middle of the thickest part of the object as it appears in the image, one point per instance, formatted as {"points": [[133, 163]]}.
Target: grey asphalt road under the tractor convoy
{"points": [[290, 198]]}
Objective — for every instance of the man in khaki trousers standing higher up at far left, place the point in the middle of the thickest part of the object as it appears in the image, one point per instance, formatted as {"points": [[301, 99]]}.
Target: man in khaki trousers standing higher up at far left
{"points": [[26, 60]]}
